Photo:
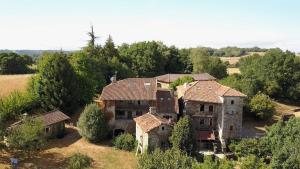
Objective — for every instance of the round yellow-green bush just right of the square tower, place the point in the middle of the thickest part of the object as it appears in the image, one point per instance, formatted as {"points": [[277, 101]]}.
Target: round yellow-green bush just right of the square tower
{"points": [[262, 106]]}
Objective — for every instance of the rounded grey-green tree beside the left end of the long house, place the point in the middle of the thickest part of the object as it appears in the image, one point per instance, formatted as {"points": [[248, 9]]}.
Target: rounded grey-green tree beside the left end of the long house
{"points": [[92, 124]]}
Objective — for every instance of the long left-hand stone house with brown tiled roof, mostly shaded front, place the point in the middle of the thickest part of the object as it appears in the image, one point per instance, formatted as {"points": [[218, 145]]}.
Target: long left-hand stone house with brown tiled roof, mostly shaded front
{"points": [[126, 99]]}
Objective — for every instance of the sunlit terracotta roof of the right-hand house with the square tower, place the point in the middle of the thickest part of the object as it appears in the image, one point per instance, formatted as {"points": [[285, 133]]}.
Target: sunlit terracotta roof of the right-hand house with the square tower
{"points": [[210, 91]]}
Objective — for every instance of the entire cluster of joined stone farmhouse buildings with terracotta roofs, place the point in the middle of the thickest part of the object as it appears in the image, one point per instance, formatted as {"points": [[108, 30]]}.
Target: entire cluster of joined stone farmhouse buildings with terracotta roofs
{"points": [[216, 110]]}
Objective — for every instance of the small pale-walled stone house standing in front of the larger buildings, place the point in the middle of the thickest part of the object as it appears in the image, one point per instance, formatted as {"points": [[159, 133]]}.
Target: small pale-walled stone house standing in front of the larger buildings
{"points": [[152, 131]]}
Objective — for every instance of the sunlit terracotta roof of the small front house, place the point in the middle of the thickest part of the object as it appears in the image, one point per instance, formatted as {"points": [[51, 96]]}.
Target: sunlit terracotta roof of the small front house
{"points": [[148, 121]]}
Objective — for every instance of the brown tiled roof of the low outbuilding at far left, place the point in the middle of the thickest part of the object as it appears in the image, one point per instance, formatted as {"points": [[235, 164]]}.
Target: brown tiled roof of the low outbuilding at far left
{"points": [[54, 117]]}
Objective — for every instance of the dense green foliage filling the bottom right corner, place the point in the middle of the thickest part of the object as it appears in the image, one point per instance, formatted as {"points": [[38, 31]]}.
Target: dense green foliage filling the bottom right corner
{"points": [[279, 148]]}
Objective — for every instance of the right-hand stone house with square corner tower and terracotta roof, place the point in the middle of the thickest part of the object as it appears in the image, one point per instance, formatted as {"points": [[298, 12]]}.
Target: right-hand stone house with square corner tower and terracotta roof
{"points": [[216, 112]]}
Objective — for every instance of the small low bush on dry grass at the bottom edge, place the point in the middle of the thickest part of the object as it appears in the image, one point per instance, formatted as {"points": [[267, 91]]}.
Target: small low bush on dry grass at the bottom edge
{"points": [[79, 161]]}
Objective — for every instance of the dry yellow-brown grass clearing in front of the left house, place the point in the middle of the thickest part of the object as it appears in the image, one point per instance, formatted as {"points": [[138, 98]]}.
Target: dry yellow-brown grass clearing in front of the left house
{"points": [[57, 152]]}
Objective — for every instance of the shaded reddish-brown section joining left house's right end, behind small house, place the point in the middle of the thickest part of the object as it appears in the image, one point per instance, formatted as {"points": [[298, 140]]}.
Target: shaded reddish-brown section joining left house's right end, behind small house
{"points": [[166, 102]]}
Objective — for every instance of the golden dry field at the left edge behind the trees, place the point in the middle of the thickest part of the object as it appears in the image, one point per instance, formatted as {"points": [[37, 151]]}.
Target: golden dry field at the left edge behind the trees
{"points": [[10, 83]]}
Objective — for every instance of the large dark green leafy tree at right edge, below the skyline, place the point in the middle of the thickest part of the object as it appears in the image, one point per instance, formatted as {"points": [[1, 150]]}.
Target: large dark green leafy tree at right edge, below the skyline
{"points": [[276, 74]]}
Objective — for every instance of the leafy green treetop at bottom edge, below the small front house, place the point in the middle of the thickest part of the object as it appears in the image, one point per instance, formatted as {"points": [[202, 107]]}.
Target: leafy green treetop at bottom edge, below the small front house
{"points": [[171, 158]]}
